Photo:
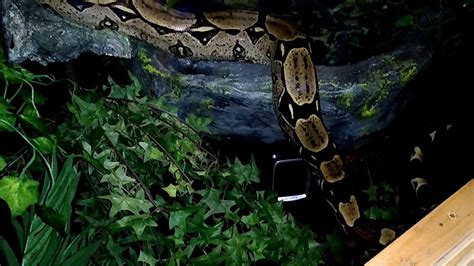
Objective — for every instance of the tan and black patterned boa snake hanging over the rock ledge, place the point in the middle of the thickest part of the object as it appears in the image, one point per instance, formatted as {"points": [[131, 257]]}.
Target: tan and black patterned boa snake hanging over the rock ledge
{"points": [[246, 36]]}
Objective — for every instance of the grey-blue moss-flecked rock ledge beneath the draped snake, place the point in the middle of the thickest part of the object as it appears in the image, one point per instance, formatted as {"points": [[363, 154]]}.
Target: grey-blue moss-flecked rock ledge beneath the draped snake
{"points": [[357, 99]]}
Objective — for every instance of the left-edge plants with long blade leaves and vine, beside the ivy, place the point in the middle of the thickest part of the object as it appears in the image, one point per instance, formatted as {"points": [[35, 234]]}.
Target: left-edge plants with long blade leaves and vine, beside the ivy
{"points": [[37, 193]]}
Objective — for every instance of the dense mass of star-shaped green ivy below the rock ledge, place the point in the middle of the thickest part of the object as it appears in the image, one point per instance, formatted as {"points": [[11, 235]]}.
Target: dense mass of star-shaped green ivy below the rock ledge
{"points": [[149, 169]]}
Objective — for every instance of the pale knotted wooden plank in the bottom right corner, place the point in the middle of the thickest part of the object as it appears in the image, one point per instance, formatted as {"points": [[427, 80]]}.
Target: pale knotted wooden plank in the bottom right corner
{"points": [[443, 237]]}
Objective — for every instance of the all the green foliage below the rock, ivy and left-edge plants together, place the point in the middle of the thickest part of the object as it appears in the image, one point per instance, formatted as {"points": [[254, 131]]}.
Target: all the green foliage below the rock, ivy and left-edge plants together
{"points": [[148, 190]]}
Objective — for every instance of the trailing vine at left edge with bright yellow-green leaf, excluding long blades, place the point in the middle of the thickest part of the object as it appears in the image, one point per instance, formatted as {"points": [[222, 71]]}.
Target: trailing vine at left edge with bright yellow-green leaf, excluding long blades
{"points": [[19, 114]]}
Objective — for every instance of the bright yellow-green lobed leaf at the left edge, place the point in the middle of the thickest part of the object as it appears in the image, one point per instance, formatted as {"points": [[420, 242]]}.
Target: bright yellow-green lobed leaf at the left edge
{"points": [[18, 193]]}
